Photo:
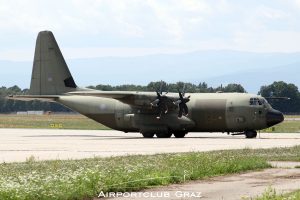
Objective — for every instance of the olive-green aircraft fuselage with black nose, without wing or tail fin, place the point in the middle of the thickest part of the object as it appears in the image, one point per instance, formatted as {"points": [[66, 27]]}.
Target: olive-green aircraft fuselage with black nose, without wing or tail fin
{"points": [[209, 112]]}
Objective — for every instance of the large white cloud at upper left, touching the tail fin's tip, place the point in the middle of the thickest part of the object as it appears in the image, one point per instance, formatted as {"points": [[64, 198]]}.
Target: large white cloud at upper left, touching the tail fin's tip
{"points": [[121, 18]]}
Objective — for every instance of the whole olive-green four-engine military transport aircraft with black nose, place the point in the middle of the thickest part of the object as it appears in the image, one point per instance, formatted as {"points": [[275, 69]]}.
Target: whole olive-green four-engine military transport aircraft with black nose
{"points": [[150, 113]]}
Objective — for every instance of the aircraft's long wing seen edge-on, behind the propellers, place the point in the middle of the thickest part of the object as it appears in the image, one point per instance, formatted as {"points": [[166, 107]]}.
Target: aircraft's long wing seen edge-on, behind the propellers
{"points": [[134, 98]]}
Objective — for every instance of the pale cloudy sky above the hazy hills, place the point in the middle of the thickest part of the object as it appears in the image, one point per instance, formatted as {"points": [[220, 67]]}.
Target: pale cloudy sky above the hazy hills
{"points": [[97, 28]]}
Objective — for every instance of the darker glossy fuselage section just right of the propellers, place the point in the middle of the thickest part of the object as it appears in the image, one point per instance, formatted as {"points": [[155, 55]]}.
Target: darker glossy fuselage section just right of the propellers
{"points": [[209, 115]]}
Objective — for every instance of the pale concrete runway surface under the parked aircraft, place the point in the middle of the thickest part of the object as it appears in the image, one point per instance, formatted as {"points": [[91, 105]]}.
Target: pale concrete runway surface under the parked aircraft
{"points": [[17, 145]]}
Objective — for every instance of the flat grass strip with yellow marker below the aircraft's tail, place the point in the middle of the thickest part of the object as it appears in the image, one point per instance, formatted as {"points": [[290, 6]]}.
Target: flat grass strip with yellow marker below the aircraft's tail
{"points": [[49, 122]]}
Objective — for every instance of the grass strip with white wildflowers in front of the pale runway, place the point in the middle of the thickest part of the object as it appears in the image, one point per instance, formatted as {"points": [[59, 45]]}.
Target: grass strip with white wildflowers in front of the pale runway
{"points": [[84, 179]]}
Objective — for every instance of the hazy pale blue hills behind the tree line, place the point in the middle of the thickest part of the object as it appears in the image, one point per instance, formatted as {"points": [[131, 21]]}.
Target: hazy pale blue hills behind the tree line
{"points": [[216, 67]]}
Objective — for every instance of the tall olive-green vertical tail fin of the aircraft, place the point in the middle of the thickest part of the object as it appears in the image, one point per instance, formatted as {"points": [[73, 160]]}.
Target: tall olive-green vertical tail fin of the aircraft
{"points": [[50, 73]]}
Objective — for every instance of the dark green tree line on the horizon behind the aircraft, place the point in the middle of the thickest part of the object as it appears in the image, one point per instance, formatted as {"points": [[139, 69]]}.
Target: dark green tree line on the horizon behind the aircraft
{"points": [[276, 89]]}
